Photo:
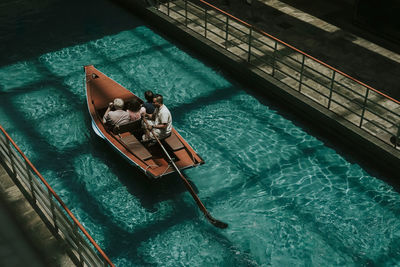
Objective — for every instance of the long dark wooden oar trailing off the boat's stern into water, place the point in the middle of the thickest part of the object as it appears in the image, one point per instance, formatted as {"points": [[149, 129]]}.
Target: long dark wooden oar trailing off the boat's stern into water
{"points": [[212, 220]]}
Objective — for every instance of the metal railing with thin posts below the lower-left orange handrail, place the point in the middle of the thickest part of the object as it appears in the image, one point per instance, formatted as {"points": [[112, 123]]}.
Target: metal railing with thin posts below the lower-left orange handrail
{"points": [[40, 194]]}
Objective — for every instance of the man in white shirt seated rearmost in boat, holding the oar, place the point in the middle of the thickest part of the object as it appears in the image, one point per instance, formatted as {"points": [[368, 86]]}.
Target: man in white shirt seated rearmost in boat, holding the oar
{"points": [[160, 122]]}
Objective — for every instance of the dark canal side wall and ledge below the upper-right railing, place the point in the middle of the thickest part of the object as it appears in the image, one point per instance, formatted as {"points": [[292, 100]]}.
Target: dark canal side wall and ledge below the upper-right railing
{"points": [[374, 151]]}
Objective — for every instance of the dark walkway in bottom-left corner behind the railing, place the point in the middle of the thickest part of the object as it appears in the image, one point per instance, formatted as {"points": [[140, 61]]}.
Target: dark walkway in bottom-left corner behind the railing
{"points": [[25, 240]]}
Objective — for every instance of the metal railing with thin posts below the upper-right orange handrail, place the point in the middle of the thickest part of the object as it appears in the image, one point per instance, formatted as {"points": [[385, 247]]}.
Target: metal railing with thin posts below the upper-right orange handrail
{"points": [[354, 101]]}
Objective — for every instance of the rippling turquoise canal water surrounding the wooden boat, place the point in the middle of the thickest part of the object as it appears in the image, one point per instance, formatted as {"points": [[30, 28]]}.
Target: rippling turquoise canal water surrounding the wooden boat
{"points": [[288, 198]]}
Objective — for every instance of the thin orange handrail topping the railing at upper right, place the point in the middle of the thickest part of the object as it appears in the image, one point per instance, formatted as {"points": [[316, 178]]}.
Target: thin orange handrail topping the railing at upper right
{"points": [[299, 51]]}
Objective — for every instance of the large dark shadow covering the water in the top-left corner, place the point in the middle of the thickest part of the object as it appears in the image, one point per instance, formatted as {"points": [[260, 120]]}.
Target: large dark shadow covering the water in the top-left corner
{"points": [[32, 28]]}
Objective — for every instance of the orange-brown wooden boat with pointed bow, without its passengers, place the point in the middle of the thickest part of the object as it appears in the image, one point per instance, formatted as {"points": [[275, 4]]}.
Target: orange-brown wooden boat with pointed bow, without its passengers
{"points": [[151, 160]]}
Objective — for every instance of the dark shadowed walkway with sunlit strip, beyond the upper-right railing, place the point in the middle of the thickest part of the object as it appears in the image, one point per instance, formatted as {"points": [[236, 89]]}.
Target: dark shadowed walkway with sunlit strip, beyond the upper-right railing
{"points": [[325, 30]]}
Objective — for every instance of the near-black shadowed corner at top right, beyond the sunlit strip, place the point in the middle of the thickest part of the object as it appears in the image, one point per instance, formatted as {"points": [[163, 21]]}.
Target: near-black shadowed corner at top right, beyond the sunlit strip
{"points": [[376, 21]]}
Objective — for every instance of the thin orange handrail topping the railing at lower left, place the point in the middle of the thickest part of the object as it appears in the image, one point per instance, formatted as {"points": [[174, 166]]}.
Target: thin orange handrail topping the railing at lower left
{"points": [[58, 198]]}
